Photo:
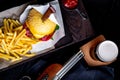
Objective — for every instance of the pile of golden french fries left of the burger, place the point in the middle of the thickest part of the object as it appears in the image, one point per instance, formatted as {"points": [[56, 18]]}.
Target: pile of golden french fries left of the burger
{"points": [[14, 44]]}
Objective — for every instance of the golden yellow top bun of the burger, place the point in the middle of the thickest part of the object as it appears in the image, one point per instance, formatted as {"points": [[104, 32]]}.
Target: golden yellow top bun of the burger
{"points": [[37, 27]]}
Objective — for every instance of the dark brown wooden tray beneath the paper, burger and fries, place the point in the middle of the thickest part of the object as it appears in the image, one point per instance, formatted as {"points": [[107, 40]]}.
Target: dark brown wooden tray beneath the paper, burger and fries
{"points": [[77, 30]]}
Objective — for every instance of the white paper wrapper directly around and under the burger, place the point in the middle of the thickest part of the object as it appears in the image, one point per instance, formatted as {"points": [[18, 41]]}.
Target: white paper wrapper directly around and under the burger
{"points": [[55, 17]]}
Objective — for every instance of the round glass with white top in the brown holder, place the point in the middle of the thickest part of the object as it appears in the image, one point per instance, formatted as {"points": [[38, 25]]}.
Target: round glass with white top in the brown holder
{"points": [[106, 51]]}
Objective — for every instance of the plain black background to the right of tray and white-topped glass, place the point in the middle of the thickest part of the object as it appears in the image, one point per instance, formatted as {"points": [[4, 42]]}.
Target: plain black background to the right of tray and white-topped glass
{"points": [[105, 16]]}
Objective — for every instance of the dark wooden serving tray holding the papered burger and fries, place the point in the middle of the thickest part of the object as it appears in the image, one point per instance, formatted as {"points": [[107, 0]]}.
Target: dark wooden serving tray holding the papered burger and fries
{"points": [[76, 30]]}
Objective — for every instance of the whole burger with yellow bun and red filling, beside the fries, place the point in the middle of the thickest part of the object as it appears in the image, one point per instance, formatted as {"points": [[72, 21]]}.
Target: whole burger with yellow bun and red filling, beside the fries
{"points": [[37, 28]]}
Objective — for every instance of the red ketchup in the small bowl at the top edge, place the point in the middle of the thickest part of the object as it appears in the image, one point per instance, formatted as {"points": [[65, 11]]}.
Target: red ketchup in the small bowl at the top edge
{"points": [[70, 4]]}
